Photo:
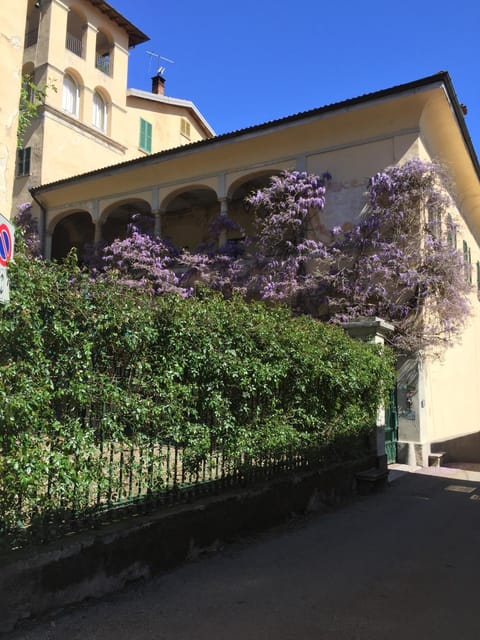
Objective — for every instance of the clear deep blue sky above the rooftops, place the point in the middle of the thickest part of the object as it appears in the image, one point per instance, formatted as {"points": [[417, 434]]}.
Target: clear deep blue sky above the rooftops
{"points": [[246, 63]]}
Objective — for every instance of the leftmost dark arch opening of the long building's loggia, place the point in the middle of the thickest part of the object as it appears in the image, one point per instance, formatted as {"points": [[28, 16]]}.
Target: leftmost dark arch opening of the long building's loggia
{"points": [[71, 229]]}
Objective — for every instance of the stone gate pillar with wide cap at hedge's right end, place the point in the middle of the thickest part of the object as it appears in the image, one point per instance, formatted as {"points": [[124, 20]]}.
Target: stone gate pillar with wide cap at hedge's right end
{"points": [[373, 330]]}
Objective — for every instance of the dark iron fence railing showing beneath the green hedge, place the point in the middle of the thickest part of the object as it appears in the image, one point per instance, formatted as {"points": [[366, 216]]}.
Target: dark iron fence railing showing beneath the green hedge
{"points": [[125, 478]]}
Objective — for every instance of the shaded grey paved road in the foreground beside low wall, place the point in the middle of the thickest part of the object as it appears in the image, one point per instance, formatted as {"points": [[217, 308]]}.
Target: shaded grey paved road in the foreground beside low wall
{"points": [[404, 563]]}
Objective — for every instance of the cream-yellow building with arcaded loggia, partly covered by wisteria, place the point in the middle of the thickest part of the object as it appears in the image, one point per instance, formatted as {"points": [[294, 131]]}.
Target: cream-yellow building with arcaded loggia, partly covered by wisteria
{"points": [[184, 188]]}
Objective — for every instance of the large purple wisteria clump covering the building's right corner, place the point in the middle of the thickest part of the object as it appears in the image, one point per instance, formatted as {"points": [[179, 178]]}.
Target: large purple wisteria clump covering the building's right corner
{"points": [[400, 261]]}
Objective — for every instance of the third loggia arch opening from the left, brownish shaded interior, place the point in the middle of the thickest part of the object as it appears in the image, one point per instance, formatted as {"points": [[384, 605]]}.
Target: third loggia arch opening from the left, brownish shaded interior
{"points": [[188, 214]]}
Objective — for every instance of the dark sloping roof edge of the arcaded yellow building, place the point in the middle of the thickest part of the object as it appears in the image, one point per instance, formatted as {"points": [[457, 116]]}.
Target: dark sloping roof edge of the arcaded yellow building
{"points": [[441, 77]]}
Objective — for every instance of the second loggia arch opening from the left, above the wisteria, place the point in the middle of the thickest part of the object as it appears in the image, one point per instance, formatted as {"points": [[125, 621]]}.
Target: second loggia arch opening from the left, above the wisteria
{"points": [[116, 218]]}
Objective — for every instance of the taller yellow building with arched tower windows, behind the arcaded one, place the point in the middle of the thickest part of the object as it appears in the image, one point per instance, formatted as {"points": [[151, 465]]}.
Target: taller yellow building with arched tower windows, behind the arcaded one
{"points": [[79, 49]]}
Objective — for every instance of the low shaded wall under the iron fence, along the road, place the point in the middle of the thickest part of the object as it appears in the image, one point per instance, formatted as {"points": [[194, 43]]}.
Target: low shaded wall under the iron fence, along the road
{"points": [[97, 562]]}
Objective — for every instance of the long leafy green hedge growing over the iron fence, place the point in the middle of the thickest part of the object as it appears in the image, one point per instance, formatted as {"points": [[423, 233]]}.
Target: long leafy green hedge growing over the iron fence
{"points": [[84, 361]]}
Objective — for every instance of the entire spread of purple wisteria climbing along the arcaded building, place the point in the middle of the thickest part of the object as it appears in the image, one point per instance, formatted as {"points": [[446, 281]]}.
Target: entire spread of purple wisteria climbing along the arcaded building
{"points": [[399, 261]]}
